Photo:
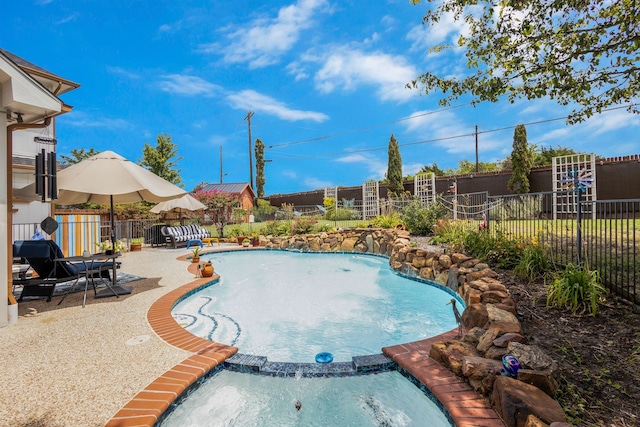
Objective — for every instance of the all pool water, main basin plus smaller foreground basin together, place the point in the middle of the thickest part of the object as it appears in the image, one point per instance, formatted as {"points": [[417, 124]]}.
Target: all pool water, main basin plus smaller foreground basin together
{"points": [[288, 306]]}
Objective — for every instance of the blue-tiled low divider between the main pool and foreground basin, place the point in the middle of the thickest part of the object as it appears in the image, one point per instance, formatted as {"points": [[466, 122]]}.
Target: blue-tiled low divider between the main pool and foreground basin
{"points": [[369, 364]]}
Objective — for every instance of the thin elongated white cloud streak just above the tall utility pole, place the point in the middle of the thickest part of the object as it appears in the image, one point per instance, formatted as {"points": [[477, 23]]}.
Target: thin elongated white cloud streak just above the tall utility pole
{"points": [[252, 100]]}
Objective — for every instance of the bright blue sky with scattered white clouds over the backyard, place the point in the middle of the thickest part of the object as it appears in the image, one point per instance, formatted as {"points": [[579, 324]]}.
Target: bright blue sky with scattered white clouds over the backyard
{"points": [[325, 80]]}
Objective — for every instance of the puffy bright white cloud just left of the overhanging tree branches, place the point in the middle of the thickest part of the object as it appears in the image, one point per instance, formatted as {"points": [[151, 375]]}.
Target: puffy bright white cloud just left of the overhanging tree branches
{"points": [[348, 69]]}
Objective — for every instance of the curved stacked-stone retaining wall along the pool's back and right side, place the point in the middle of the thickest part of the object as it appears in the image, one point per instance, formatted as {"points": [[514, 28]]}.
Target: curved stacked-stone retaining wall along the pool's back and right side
{"points": [[490, 320]]}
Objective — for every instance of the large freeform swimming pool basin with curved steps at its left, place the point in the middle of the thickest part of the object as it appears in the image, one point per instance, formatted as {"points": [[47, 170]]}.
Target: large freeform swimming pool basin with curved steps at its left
{"points": [[289, 306]]}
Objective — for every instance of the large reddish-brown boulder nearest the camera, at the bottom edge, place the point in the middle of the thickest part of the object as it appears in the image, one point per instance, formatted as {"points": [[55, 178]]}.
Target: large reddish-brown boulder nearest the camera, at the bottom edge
{"points": [[514, 401]]}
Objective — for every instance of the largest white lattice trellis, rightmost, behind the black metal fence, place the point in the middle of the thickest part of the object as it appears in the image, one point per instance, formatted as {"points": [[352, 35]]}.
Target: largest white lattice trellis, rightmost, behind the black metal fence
{"points": [[565, 203]]}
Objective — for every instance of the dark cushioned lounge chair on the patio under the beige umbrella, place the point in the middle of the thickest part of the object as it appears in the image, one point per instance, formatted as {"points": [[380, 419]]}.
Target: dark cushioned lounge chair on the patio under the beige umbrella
{"points": [[45, 259]]}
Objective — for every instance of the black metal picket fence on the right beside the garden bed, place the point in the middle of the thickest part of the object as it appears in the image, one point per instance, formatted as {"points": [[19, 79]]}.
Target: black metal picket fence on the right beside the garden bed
{"points": [[604, 234]]}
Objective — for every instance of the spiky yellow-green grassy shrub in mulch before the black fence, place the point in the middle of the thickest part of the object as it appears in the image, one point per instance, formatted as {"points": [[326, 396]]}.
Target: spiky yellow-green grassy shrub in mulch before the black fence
{"points": [[577, 289]]}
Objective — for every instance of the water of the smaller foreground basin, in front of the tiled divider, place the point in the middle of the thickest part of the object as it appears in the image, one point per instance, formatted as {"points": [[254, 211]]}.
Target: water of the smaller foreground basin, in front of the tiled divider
{"points": [[236, 399]]}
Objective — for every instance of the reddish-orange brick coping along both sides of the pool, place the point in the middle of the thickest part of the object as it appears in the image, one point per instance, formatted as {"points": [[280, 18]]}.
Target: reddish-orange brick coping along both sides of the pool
{"points": [[466, 407]]}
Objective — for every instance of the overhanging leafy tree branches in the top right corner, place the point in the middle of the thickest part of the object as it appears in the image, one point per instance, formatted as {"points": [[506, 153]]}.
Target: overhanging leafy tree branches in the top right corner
{"points": [[583, 52]]}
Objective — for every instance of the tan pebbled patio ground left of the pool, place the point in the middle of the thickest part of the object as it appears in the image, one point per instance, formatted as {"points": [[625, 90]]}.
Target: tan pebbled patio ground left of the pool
{"points": [[74, 366]]}
